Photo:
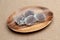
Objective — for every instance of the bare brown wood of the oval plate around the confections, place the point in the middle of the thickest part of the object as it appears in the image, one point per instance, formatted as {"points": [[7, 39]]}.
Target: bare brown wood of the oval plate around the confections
{"points": [[38, 26]]}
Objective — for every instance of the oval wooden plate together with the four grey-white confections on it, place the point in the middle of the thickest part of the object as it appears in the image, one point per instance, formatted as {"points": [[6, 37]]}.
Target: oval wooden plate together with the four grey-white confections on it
{"points": [[29, 19]]}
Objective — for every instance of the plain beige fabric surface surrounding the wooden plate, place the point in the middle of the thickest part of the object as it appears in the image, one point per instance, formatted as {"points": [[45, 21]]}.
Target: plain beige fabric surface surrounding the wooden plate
{"points": [[52, 32]]}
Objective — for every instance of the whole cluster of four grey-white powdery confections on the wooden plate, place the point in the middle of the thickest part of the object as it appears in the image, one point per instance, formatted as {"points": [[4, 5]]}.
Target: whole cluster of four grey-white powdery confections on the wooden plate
{"points": [[29, 18]]}
